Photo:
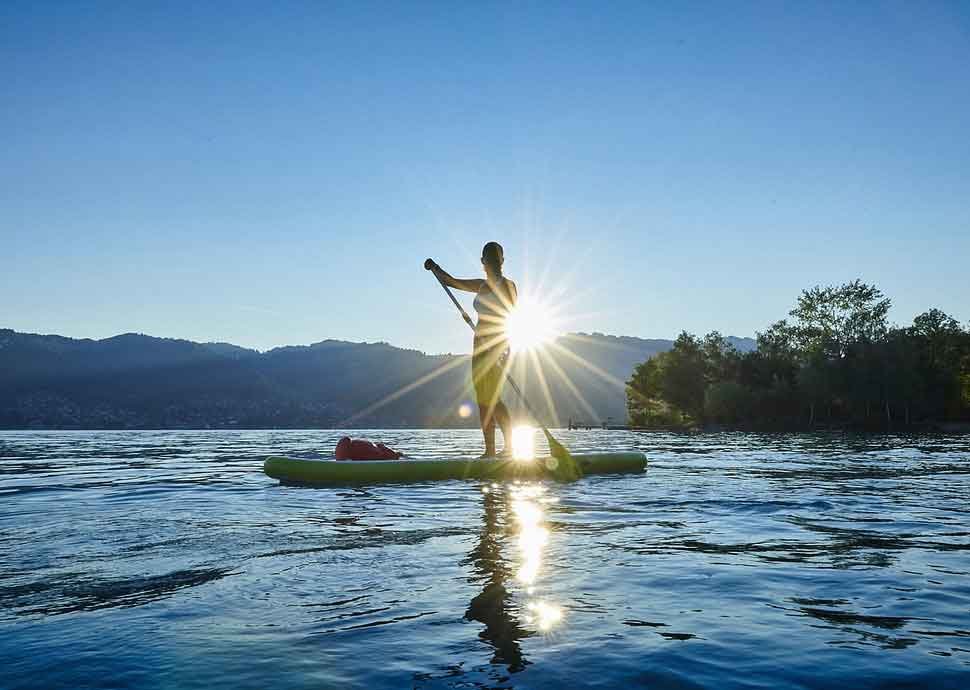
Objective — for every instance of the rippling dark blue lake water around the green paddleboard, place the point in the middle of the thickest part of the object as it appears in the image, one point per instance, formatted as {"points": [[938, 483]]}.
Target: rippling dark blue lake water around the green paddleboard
{"points": [[167, 559]]}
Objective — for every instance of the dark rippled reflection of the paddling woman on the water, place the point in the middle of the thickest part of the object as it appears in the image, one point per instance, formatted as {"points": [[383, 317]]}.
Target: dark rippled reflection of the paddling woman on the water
{"points": [[493, 606]]}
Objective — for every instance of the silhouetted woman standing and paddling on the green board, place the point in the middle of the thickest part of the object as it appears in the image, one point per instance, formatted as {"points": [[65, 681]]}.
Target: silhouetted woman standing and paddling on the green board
{"points": [[495, 297]]}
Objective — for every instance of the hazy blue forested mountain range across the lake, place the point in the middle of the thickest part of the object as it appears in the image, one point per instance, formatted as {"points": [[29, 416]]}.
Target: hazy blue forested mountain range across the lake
{"points": [[139, 381]]}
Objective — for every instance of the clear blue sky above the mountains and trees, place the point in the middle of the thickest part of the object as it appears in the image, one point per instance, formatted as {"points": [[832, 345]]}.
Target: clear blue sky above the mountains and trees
{"points": [[276, 173]]}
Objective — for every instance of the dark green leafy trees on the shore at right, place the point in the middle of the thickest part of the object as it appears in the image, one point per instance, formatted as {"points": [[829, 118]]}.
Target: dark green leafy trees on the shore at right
{"points": [[836, 362]]}
